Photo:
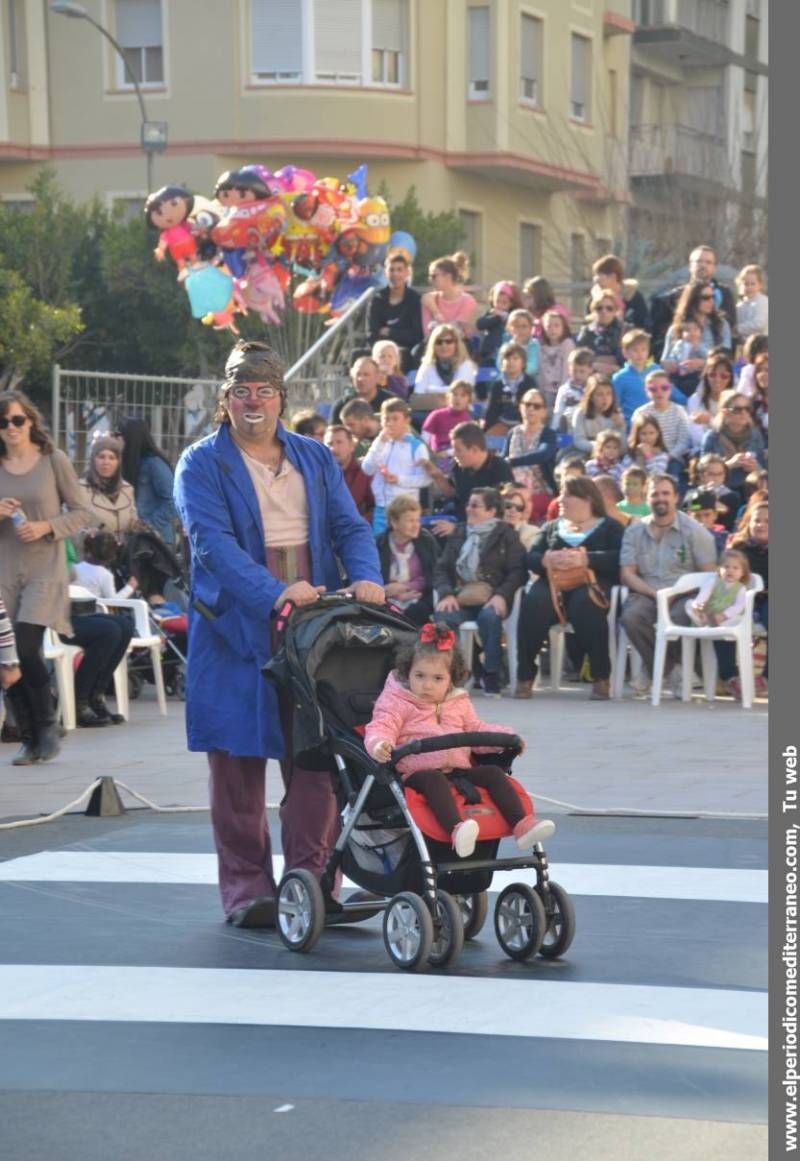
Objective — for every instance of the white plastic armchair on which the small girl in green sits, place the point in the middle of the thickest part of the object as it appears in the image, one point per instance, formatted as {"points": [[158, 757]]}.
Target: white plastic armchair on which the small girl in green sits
{"points": [[667, 631]]}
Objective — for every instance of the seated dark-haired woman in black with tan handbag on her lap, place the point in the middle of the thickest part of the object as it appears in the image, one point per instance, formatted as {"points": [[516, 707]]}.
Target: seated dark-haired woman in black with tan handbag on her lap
{"points": [[576, 560]]}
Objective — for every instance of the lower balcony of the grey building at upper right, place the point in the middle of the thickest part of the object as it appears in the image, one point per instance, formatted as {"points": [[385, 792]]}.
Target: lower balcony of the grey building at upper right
{"points": [[678, 152]]}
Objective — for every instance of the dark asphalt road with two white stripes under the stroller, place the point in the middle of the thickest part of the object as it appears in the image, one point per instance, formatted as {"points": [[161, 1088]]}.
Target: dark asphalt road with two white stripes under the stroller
{"points": [[135, 1025]]}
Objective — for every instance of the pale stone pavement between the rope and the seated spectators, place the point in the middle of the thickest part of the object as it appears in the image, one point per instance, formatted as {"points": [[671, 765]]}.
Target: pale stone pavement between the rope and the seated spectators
{"points": [[597, 756]]}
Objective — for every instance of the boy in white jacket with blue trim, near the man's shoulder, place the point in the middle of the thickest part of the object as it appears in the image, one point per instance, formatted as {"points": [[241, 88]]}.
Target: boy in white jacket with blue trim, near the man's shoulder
{"points": [[395, 461]]}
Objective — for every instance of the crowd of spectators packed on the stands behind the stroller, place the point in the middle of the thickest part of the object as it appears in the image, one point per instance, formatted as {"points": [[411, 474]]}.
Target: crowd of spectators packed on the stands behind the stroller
{"points": [[628, 444]]}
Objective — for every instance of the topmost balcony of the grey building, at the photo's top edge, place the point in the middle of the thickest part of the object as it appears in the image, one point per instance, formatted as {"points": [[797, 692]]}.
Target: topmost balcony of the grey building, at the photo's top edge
{"points": [[695, 34]]}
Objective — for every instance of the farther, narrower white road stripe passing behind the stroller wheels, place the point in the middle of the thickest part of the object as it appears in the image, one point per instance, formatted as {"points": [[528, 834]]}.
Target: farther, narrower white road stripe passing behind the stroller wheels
{"points": [[622, 881]]}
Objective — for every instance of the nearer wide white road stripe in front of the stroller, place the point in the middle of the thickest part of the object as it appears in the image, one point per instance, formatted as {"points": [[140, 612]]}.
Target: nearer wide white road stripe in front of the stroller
{"points": [[693, 1018]]}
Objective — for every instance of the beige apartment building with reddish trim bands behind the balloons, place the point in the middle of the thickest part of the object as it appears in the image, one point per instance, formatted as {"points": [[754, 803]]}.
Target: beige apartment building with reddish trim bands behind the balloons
{"points": [[514, 113]]}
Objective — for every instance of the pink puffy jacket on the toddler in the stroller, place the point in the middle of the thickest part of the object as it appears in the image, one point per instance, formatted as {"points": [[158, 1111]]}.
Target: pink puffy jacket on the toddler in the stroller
{"points": [[401, 717]]}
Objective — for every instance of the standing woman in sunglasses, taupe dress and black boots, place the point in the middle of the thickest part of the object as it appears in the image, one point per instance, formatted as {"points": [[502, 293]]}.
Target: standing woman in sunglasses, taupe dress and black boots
{"points": [[38, 484]]}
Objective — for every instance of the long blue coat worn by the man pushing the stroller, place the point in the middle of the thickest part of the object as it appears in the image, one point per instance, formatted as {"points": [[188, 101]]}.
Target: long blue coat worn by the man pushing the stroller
{"points": [[230, 706]]}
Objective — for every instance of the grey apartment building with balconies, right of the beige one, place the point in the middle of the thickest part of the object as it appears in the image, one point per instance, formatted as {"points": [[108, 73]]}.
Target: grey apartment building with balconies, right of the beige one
{"points": [[700, 126]]}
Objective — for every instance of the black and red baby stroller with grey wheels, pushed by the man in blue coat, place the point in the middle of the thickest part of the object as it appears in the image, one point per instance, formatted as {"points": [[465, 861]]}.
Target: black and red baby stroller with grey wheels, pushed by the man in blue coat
{"points": [[334, 658]]}
